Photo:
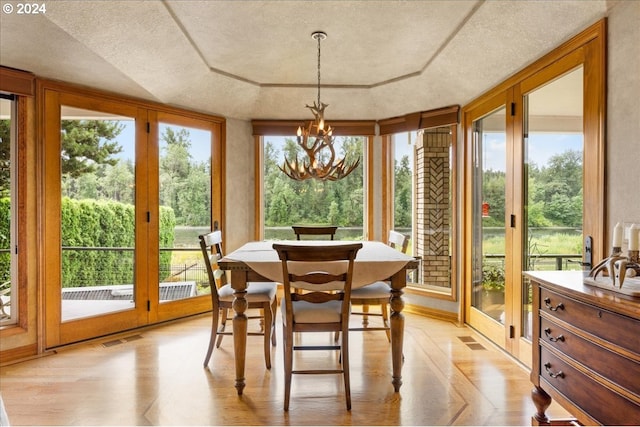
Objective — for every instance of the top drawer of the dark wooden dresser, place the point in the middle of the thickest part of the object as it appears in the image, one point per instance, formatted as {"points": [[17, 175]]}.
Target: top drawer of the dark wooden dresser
{"points": [[611, 327]]}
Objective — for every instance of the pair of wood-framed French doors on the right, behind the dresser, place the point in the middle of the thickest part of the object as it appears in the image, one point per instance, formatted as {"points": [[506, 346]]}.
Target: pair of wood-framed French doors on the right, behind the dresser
{"points": [[530, 201]]}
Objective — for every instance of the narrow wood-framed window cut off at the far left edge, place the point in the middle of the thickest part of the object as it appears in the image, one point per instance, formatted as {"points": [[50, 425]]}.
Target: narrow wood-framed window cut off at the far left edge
{"points": [[17, 171]]}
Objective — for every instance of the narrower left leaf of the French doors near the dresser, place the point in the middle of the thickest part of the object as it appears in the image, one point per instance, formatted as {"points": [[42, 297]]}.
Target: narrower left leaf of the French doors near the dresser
{"points": [[490, 223]]}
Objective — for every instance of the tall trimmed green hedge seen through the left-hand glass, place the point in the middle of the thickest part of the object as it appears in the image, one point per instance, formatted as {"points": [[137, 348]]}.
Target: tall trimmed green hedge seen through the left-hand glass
{"points": [[95, 224]]}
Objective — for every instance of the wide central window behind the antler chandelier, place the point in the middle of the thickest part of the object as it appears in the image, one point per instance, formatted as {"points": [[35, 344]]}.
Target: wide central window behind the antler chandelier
{"points": [[282, 202]]}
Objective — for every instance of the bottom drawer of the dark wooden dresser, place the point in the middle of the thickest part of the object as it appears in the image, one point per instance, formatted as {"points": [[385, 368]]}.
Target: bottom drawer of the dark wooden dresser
{"points": [[603, 404]]}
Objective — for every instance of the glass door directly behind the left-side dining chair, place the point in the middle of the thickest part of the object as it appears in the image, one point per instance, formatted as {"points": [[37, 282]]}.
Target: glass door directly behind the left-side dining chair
{"points": [[187, 160]]}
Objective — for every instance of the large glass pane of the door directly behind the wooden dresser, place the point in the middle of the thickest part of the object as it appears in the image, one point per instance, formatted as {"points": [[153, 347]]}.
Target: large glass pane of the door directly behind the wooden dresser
{"points": [[553, 138]]}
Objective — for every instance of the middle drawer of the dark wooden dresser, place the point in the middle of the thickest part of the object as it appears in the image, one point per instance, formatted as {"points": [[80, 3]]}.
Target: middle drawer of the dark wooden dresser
{"points": [[612, 366]]}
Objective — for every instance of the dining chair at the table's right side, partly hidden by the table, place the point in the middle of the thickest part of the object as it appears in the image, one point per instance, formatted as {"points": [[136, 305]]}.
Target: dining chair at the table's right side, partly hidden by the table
{"points": [[377, 293]]}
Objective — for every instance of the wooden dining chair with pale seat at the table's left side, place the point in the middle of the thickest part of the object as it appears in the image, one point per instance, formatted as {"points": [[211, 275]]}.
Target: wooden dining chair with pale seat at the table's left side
{"points": [[260, 295]]}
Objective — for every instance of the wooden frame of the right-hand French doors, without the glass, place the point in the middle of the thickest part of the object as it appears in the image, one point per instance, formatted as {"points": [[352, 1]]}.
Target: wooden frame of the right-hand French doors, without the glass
{"points": [[589, 49]]}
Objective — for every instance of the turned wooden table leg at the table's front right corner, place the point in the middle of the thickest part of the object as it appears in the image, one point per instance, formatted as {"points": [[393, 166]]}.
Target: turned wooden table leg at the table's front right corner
{"points": [[398, 281]]}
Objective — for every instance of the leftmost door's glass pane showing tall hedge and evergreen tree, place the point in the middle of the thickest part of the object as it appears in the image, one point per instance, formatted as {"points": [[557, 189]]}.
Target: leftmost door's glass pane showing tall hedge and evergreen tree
{"points": [[97, 211]]}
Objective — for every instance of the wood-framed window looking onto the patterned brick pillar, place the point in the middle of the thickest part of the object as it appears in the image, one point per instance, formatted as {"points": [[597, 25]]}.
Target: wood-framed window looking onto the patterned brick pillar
{"points": [[420, 198]]}
